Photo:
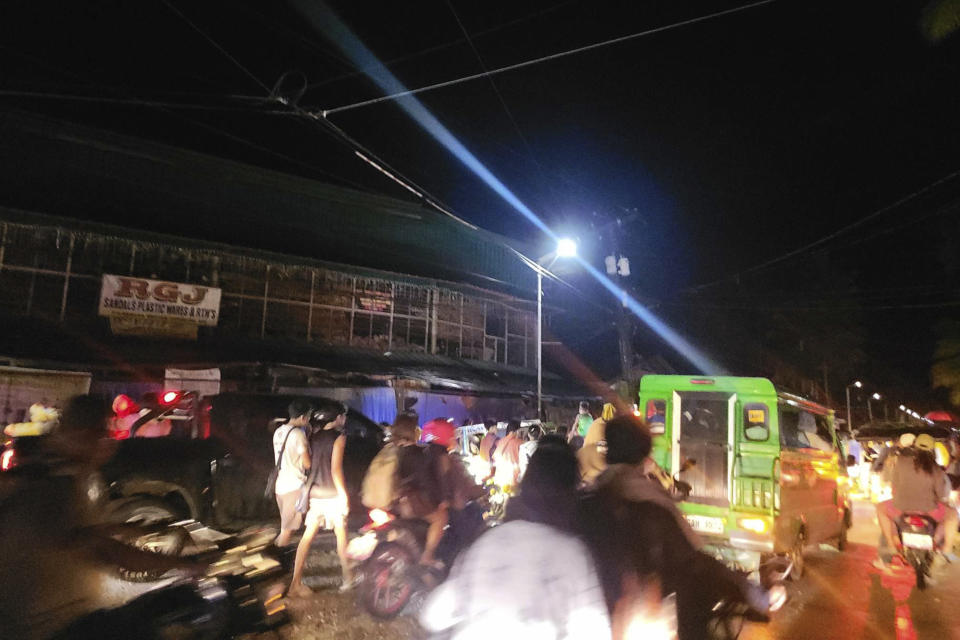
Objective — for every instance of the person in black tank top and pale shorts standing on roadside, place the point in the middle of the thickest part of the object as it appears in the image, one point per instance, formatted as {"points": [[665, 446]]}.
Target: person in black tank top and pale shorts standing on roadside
{"points": [[324, 493]]}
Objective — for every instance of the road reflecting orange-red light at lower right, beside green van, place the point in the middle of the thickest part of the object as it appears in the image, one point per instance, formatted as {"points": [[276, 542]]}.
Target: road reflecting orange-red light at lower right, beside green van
{"points": [[843, 597]]}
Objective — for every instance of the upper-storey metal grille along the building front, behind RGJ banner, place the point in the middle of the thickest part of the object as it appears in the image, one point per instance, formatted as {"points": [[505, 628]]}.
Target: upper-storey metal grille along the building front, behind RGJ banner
{"points": [[55, 273]]}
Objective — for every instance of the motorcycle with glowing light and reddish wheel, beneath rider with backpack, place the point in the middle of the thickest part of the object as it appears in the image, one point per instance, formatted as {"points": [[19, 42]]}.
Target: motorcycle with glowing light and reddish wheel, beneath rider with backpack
{"points": [[388, 572]]}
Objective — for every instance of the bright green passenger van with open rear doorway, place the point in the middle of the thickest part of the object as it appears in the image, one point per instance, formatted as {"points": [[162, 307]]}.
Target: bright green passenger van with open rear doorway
{"points": [[766, 471]]}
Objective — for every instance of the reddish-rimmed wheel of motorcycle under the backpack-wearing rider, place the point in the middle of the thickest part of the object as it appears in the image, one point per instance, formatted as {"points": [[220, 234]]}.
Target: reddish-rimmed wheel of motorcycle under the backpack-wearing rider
{"points": [[386, 587]]}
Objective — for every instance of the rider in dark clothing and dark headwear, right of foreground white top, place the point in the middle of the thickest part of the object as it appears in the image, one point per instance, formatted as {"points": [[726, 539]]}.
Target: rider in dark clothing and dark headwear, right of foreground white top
{"points": [[639, 535]]}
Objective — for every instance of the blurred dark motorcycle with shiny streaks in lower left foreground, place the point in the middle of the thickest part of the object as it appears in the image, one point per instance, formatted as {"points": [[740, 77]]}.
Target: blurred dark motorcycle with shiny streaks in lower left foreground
{"points": [[240, 593]]}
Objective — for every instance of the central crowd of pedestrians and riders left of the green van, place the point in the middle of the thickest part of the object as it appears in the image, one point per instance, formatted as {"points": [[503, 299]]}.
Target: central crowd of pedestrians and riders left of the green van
{"points": [[589, 499]]}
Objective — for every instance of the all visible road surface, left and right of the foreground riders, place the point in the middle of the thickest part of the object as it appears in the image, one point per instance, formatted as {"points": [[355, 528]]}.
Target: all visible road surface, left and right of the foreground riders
{"points": [[840, 597]]}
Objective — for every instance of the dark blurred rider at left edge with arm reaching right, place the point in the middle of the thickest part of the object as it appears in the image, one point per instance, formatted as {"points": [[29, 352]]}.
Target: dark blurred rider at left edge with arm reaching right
{"points": [[55, 539]]}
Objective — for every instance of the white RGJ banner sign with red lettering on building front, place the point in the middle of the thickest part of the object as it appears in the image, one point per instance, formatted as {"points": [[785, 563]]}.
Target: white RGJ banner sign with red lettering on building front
{"points": [[125, 297]]}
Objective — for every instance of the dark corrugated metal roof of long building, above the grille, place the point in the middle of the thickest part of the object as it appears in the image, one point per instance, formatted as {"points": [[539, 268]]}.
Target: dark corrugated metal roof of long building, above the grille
{"points": [[80, 172]]}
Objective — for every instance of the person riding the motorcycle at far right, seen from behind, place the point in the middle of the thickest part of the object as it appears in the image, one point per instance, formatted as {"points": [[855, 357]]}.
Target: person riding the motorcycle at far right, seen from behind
{"points": [[919, 485]]}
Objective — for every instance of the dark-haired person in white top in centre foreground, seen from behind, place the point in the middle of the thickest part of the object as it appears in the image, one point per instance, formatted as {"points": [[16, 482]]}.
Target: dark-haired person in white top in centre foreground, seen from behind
{"points": [[530, 577]]}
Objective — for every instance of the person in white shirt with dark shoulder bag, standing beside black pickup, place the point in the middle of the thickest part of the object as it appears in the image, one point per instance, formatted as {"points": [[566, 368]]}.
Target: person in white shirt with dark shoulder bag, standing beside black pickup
{"points": [[291, 454]]}
